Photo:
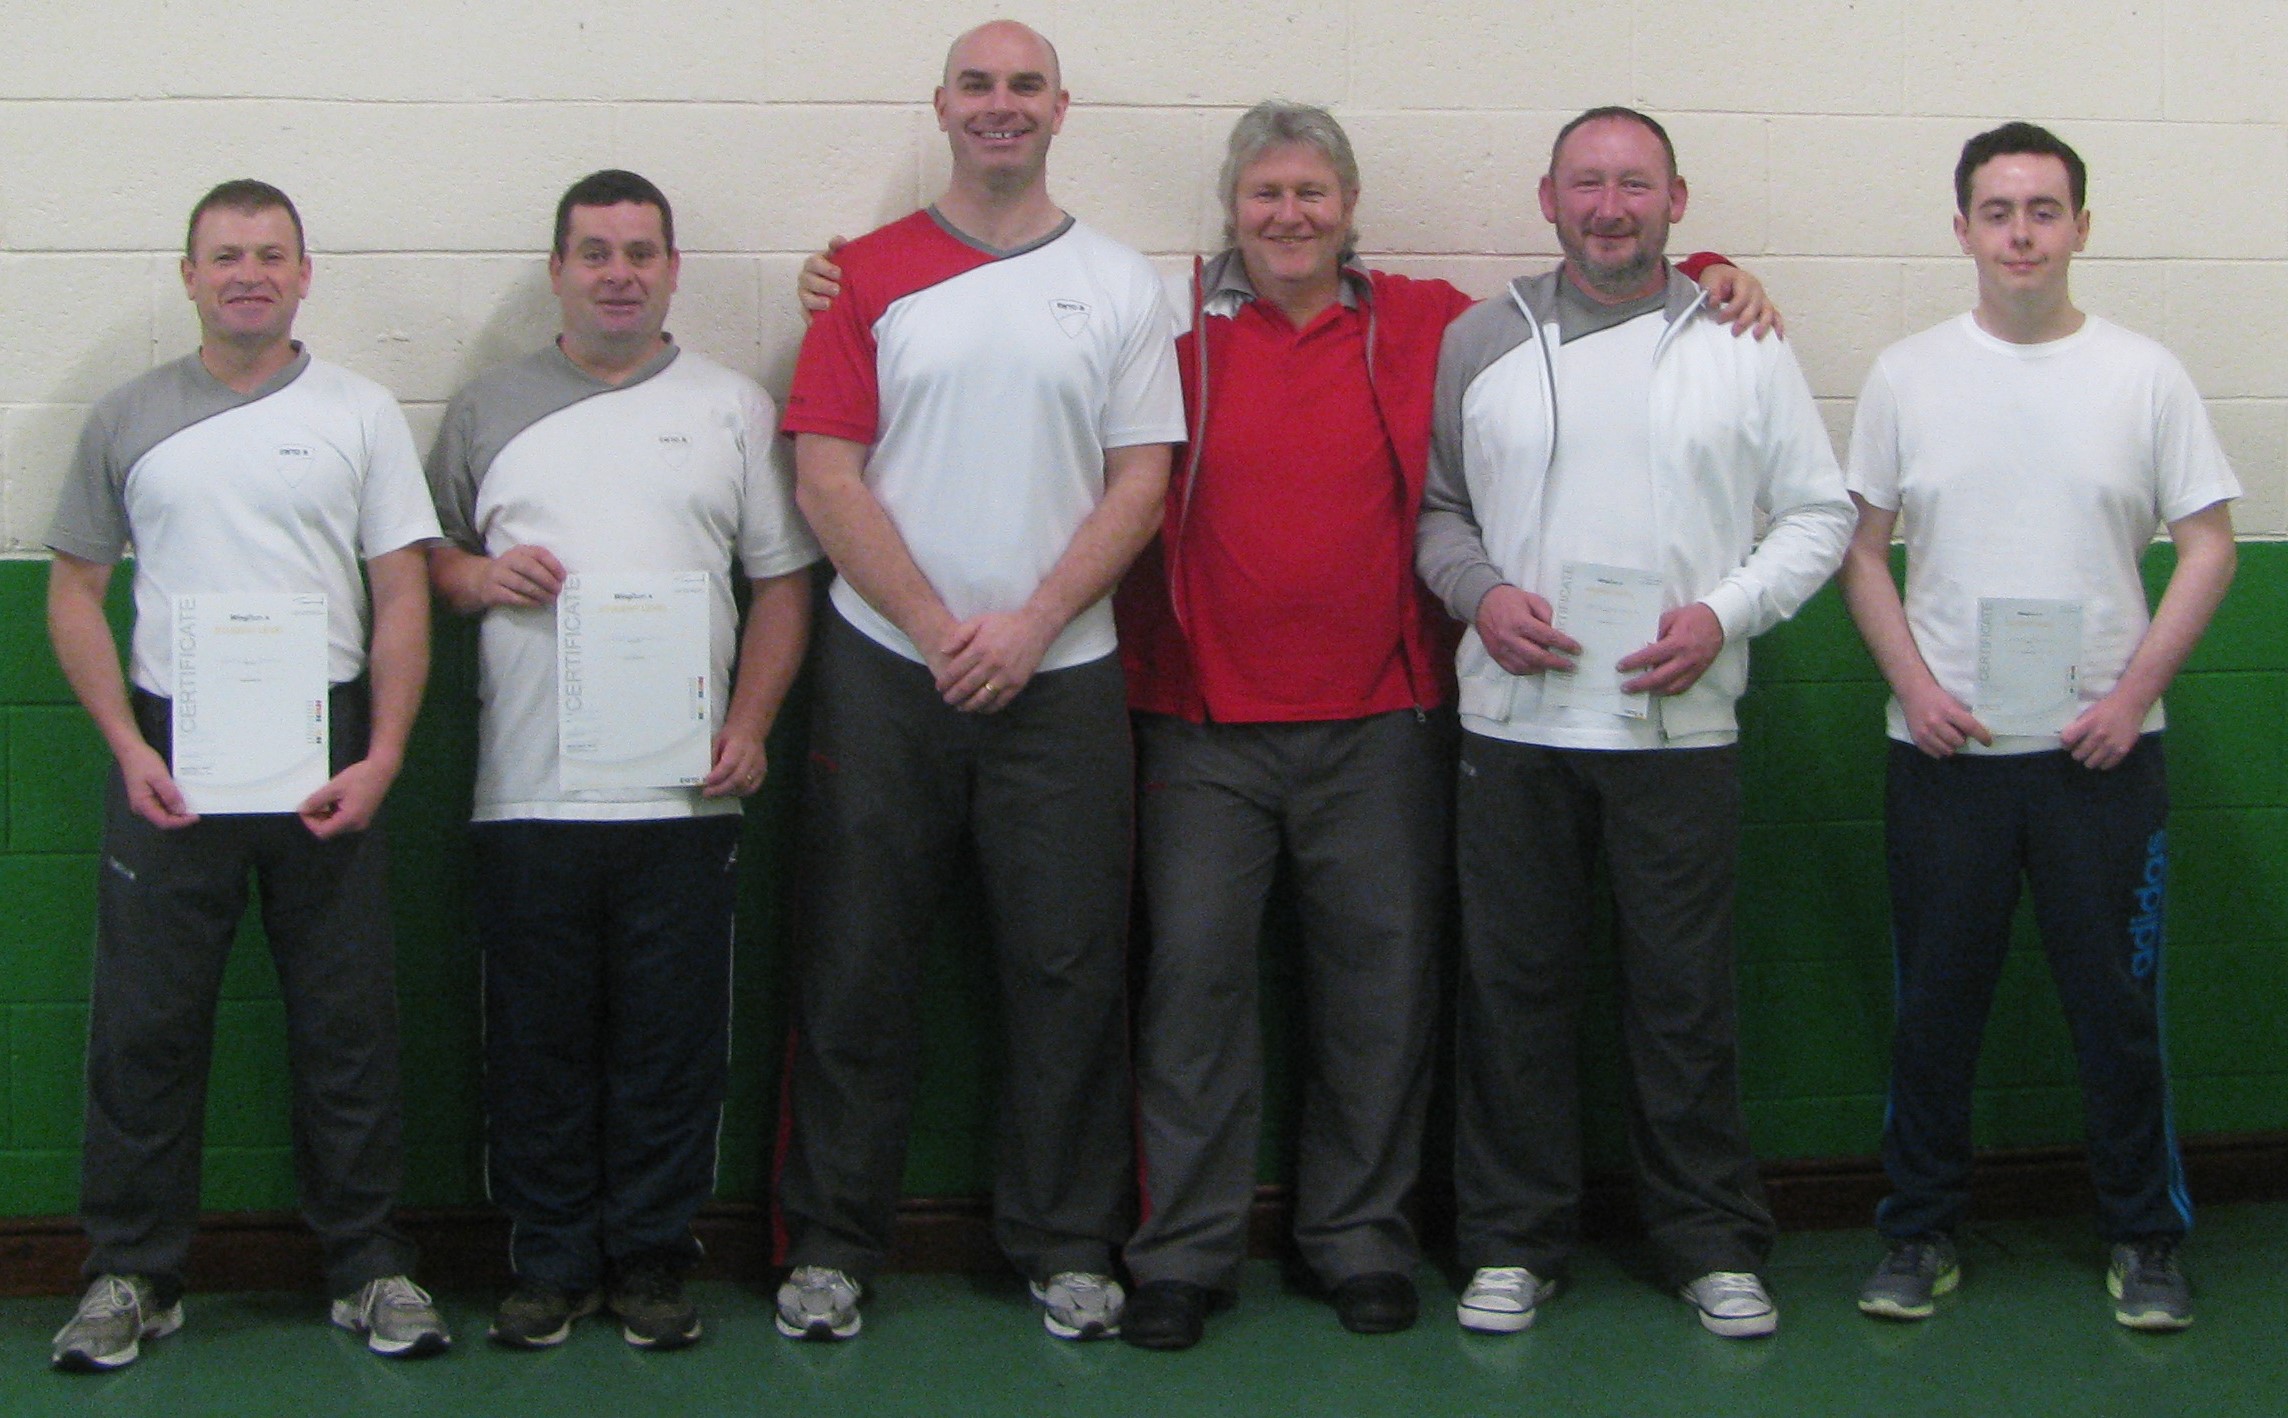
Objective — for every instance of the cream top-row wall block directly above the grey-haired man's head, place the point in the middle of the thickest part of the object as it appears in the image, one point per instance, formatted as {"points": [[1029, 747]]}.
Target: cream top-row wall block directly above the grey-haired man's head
{"points": [[1241, 54]]}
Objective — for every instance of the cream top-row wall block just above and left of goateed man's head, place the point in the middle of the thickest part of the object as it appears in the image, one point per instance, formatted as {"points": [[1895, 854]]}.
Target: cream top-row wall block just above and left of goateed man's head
{"points": [[1468, 56]]}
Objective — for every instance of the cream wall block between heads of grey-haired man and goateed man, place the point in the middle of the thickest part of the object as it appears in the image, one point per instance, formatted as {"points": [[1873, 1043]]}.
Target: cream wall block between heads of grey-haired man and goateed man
{"points": [[1456, 184]]}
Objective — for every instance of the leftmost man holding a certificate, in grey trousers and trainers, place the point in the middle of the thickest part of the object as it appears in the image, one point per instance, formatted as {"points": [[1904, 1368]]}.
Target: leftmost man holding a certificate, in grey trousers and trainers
{"points": [[253, 733]]}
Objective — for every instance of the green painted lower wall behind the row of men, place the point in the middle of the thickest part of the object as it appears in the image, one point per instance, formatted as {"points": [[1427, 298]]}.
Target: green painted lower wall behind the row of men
{"points": [[1813, 932]]}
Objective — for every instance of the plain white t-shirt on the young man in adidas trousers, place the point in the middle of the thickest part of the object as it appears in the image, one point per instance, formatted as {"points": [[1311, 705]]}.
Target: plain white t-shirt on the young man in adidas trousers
{"points": [[2031, 472]]}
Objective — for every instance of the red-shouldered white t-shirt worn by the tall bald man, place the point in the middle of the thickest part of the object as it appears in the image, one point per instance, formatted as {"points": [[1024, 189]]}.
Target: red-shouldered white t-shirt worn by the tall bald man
{"points": [[990, 388]]}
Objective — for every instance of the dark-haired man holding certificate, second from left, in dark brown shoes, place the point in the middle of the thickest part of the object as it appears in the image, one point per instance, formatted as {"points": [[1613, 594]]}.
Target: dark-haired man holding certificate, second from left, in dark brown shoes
{"points": [[594, 500]]}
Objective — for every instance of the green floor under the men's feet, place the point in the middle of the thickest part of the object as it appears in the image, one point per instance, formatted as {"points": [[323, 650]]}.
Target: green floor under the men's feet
{"points": [[2028, 1335]]}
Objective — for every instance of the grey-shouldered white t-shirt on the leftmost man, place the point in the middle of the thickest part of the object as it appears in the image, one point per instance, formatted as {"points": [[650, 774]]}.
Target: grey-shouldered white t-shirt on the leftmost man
{"points": [[283, 491]]}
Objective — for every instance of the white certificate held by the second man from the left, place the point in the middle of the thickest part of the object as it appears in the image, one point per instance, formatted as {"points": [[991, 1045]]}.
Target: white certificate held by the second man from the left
{"points": [[633, 680]]}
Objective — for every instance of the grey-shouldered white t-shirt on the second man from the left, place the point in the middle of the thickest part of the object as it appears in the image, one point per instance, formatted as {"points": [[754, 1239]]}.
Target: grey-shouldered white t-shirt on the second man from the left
{"points": [[667, 472]]}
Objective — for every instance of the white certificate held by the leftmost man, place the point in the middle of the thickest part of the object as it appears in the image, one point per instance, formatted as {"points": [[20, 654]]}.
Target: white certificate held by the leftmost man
{"points": [[251, 724]]}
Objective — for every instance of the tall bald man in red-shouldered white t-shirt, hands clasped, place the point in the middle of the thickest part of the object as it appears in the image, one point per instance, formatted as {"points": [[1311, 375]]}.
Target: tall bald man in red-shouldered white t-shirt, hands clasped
{"points": [[983, 433]]}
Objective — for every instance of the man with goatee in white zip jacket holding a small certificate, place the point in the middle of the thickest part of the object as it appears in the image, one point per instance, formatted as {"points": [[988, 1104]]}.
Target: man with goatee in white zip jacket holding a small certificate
{"points": [[1603, 454]]}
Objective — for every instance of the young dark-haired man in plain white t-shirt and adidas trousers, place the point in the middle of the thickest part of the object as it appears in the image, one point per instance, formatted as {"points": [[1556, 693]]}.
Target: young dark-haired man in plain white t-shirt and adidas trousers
{"points": [[2033, 454]]}
